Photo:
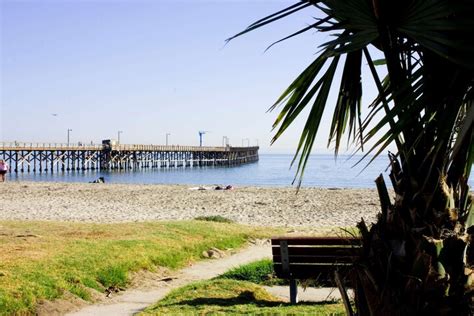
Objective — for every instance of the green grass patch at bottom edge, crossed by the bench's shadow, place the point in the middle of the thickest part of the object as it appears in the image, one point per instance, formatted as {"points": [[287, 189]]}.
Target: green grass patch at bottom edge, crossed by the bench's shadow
{"points": [[223, 296]]}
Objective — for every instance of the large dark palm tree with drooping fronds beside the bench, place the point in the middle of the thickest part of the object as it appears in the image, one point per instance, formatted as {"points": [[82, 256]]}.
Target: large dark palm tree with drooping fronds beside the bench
{"points": [[417, 256]]}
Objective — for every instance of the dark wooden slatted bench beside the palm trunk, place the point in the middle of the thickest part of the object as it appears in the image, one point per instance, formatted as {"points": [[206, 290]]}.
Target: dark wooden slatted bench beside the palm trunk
{"points": [[324, 259]]}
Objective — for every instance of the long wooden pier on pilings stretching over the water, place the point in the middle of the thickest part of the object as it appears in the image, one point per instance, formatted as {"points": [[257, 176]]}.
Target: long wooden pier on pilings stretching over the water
{"points": [[53, 157]]}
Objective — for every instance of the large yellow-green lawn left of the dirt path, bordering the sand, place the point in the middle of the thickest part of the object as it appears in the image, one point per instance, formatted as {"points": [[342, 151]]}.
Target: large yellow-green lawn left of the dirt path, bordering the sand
{"points": [[46, 260]]}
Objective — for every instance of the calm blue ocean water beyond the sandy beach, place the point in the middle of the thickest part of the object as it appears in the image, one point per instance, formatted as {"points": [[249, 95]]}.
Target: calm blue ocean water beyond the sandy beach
{"points": [[270, 171]]}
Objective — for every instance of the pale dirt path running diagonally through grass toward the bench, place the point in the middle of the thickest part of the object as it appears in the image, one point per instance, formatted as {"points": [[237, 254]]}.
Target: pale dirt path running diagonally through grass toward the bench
{"points": [[135, 300]]}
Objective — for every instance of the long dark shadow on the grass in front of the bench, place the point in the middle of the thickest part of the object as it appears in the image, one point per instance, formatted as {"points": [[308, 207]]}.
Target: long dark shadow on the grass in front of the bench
{"points": [[246, 297]]}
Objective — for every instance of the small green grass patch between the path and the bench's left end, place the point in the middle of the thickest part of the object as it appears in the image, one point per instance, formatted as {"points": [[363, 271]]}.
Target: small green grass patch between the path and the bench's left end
{"points": [[259, 272]]}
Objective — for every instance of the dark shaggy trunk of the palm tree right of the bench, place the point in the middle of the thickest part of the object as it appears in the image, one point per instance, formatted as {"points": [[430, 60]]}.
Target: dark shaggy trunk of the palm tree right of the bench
{"points": [[413, 261]]}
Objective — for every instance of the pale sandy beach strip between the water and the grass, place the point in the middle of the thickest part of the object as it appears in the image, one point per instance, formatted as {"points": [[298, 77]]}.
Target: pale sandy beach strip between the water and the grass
{"points": [[108, 203]]}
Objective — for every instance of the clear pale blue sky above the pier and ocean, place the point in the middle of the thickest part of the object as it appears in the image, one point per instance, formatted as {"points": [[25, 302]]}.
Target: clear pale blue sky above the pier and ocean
{"points": [[148, 68]]}
